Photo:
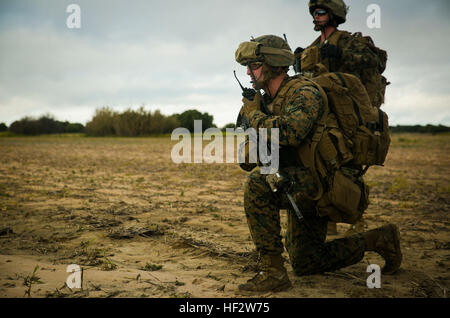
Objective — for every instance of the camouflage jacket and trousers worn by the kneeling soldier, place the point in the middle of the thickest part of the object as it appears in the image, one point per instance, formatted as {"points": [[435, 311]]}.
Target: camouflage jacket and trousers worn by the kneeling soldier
{"points": [[305, 241]]}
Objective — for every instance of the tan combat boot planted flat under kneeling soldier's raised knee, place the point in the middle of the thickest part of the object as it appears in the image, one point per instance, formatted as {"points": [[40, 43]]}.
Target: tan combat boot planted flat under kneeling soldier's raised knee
{"points": [[272, 276]]}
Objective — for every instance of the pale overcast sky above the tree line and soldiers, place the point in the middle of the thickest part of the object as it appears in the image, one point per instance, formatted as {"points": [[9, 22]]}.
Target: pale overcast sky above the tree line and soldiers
{"points": [[176, 55]]}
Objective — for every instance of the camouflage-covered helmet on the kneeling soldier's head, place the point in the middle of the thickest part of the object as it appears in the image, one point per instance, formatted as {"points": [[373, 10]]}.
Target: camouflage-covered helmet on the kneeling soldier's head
{"points": [[270, 49]]}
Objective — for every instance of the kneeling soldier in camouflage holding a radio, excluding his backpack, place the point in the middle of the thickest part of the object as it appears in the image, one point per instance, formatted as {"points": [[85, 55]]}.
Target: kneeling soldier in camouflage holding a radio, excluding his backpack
{"points": [[294, 106]]}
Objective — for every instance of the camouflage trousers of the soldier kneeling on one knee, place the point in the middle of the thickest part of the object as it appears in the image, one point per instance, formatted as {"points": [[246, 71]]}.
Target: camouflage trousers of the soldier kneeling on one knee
{"points": [[305, 240]]}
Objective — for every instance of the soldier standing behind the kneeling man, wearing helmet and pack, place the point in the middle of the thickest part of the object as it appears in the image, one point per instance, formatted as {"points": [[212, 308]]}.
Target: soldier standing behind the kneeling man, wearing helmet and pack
{"points": [[341, 51]]}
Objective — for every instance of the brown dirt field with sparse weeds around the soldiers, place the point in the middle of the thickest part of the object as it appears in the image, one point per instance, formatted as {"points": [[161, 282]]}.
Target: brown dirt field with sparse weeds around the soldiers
{"points": [[142, 226]]}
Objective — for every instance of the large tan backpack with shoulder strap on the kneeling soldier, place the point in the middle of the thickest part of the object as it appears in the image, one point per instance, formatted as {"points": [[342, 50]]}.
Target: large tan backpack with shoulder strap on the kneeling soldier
{"points": [[350, 133]]}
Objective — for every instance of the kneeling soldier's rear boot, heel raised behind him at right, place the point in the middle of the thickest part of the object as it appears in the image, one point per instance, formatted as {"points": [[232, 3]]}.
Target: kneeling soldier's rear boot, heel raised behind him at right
{"points": [[385, 241]]}
